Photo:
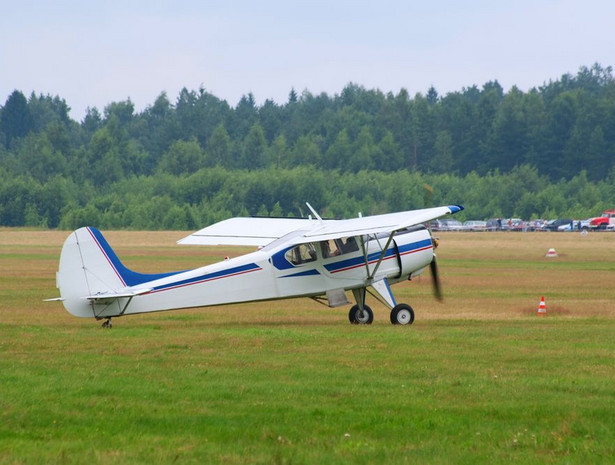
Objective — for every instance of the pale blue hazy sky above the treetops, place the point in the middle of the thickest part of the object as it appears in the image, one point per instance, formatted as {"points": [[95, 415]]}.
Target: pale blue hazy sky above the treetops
{"points": [[92, 53]]}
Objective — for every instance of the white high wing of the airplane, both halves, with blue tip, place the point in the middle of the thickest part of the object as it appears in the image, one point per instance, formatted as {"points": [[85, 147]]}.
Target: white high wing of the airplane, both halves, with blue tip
{"points": [[262, 231]]}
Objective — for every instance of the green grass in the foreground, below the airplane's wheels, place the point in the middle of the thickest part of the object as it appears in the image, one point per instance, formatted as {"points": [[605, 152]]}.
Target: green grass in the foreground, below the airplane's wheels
{"points": [[186, 390]]}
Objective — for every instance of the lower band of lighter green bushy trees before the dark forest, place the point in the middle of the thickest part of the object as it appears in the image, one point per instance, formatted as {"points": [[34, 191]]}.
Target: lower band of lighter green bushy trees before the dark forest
{"points": [[189, 202]]}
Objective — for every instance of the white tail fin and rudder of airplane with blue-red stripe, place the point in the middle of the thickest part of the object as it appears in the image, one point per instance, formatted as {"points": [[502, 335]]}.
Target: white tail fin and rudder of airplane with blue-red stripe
{"points": [[91, 277]]}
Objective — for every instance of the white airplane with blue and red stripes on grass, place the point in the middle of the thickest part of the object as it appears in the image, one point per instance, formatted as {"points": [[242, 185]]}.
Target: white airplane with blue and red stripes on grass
{"points": [[316, 258]]}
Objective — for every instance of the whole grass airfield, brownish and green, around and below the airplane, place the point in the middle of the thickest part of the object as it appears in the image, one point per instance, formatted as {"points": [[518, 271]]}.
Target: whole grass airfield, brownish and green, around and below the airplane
{"points": [[477, 379]]}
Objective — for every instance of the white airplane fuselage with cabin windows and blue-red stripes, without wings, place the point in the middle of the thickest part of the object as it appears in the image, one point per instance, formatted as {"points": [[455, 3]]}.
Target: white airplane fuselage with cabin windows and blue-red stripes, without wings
{"points": [[281, 270]]}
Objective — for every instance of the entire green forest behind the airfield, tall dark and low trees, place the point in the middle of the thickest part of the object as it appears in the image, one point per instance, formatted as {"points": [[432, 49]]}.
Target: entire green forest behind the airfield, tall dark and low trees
{"points": [[186, 163]]}
